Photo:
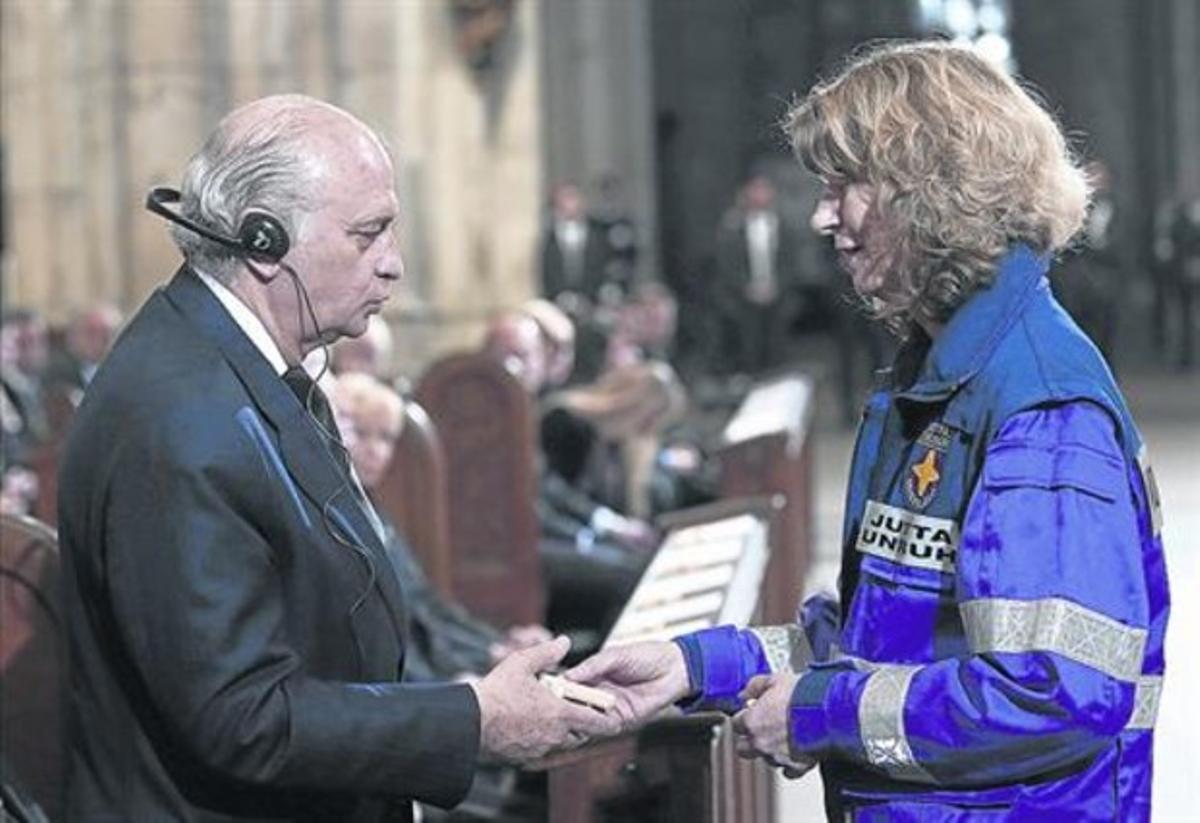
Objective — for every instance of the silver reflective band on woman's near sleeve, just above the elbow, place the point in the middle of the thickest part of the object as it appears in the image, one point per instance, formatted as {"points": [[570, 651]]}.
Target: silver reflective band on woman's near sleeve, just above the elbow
{"points": [[1055, 626]]}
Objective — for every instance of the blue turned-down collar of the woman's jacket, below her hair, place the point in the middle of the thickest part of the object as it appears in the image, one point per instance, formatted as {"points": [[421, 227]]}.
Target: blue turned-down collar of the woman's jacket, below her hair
{"points": [[976, 329]]}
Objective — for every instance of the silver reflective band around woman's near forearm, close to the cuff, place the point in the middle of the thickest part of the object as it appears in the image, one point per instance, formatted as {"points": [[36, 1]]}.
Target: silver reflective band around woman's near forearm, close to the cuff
{"points": [[881, 723]]}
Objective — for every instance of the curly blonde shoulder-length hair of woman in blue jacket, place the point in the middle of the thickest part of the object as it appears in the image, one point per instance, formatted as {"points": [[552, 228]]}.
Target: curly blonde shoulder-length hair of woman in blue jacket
{"points": [[964, 161]]}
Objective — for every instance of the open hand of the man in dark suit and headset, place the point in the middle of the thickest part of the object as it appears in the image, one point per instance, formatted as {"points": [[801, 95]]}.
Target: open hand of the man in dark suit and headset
{"points": [[521, 720]]}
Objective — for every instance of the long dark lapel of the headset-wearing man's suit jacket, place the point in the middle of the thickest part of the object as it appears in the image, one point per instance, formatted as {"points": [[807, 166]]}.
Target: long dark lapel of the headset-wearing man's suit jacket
{"points": [[304, 452]]}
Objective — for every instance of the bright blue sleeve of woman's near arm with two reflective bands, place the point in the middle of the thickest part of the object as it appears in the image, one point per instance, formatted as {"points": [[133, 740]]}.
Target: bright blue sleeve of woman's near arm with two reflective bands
{"points": [[1053, 599]]}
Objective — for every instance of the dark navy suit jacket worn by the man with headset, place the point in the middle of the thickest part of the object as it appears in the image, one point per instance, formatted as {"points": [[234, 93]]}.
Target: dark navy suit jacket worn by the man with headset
{"points": [[236, 626]]}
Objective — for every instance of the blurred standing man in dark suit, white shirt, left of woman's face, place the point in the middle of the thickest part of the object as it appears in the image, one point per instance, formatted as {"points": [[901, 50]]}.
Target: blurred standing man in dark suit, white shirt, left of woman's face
{"points": [[757, 280]]}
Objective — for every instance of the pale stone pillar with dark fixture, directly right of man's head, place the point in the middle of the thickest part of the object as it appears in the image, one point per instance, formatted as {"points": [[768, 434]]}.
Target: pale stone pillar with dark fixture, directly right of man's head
{"points": [[469, 148]]}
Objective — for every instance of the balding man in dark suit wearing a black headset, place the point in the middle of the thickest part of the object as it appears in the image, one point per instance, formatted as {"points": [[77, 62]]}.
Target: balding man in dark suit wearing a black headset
{"points": [[236, 627]]}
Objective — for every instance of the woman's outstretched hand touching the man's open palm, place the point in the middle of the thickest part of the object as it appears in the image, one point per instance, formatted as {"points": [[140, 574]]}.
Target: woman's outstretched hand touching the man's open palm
{"points": [[644, 677]]}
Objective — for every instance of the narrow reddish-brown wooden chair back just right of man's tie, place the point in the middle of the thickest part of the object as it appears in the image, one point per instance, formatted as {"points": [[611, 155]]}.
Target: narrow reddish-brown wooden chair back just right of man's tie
{"points": [[415, 495]]}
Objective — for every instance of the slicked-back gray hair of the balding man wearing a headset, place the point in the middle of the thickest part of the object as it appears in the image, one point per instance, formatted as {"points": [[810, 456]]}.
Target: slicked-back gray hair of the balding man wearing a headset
{"points": [[265, 167]]}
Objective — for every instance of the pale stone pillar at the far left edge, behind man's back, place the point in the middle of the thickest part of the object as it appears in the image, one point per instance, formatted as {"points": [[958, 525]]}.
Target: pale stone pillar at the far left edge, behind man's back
{"points": [[61, 182]]}
